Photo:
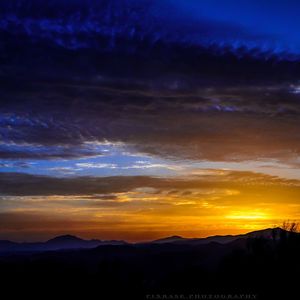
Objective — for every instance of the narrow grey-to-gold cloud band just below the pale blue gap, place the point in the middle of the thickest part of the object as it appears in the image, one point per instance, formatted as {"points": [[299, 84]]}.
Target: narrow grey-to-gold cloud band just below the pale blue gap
{"points": [[17, 184]]}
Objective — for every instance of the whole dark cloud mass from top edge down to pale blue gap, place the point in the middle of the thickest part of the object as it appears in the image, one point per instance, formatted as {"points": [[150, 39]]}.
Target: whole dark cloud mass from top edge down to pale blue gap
{"points": [[166, 84]]}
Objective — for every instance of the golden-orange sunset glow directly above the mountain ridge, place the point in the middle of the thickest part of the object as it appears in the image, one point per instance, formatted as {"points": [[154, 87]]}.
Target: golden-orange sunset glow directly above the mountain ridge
{"points": [[151, 212]]}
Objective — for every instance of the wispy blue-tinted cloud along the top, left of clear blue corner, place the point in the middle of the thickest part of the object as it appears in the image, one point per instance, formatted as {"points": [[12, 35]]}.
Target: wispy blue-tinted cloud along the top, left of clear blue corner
{"points": [[97, 24]]}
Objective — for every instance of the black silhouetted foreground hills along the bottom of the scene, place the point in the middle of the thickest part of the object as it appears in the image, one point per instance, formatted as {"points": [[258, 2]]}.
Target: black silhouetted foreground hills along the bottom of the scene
{"points": [[261, 266]]}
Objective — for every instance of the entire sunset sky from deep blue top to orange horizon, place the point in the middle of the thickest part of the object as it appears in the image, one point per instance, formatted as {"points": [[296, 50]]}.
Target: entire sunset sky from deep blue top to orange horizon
{"points": [[137, 120]]}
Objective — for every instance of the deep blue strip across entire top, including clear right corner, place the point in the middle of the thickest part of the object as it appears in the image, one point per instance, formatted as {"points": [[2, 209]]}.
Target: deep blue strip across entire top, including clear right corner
{"points": [[269, 25]]}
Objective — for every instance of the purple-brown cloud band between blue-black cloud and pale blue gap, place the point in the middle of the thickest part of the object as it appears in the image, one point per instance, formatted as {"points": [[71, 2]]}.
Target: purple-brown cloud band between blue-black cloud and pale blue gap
{"points": [[218, 124]]}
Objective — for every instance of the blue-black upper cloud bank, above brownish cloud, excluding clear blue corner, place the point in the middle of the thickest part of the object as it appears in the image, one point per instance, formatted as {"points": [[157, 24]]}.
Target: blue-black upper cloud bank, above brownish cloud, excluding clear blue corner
{"points": [[134, 39]]}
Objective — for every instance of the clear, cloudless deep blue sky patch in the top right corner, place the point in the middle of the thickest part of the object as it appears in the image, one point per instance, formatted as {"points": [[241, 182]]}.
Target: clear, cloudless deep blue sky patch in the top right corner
{"points": [[278, 21]]}
